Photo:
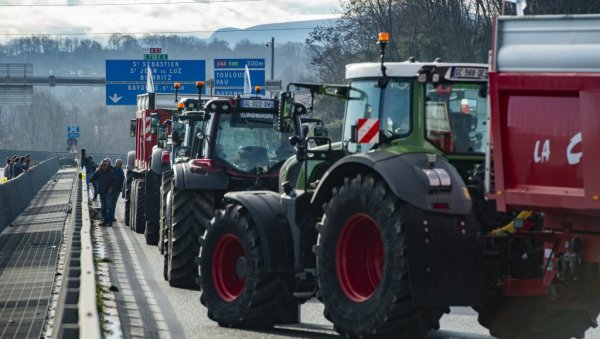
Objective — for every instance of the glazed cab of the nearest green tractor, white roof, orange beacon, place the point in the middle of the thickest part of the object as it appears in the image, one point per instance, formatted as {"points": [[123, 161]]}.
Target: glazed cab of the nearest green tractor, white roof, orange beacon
{"points": [[433, 107]]}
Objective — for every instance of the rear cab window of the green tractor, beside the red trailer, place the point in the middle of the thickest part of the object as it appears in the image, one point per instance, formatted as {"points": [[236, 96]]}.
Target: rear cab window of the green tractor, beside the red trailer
{"points": [[456, 117]]}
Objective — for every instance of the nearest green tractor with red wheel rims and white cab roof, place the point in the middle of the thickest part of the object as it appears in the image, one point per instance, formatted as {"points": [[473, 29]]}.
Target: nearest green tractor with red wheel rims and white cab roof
{"points": [[378, 226]]}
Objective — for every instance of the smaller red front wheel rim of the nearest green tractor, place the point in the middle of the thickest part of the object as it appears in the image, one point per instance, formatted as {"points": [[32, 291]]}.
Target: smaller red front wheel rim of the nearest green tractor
{"points": [[225, 278]]}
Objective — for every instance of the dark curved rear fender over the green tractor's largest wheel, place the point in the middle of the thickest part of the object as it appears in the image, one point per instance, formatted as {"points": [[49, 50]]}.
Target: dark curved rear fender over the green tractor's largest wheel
{"points": [[404, 176]]}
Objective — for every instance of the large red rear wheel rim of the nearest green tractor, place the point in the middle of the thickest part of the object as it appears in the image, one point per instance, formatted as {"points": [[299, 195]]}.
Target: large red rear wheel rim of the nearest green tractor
{"points": [[359, 257]]}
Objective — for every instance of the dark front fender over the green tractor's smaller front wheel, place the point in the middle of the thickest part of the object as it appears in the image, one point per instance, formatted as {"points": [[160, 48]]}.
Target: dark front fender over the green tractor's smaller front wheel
{"points": [[273, 228]]}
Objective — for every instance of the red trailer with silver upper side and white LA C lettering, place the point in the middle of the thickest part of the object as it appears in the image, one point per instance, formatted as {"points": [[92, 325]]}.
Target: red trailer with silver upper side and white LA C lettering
{"points": [[544, 86]]}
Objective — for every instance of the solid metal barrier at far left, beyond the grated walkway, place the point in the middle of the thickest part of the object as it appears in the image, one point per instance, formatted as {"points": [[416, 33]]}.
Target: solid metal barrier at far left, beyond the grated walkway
{"points": [[16, 194]]}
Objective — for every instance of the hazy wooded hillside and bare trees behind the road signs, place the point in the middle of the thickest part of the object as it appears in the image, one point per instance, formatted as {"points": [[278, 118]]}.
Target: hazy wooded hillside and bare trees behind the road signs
{"points": [[454, 30]]}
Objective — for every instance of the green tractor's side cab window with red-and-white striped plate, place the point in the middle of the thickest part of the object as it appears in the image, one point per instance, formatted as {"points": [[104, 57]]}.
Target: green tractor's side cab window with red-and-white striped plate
{"points": [[387, 108]]}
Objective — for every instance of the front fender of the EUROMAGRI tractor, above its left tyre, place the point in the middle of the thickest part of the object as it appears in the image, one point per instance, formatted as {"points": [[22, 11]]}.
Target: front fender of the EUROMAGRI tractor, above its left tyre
{"points": [[186, 176]]}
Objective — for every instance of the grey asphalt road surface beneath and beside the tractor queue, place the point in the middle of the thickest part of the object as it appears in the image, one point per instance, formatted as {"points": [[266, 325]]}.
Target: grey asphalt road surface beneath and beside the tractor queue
{"points": [[148, 307]]}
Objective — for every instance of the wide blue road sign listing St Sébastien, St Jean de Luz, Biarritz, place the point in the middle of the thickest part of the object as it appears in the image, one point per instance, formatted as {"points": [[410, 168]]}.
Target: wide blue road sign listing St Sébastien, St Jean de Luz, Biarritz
{"points": [[125, 79]]}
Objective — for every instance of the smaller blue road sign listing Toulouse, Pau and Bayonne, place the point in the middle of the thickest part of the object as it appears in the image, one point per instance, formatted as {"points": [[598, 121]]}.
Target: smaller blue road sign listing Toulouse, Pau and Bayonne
{"points": [[229, 75]]}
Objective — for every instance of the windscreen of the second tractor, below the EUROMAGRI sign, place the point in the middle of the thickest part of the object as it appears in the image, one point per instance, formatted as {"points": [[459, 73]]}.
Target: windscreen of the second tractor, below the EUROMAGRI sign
{"points": [[248, 142]]}
